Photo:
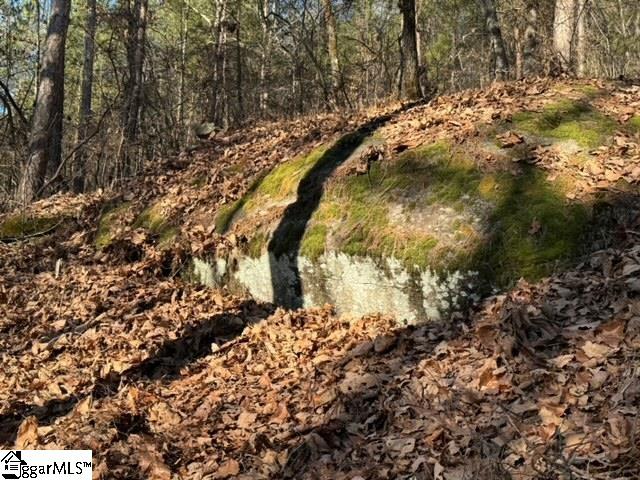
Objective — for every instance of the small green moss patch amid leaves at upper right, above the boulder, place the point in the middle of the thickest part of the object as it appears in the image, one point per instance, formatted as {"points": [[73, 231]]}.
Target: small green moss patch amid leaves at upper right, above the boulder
{"points": [[567, 120]]}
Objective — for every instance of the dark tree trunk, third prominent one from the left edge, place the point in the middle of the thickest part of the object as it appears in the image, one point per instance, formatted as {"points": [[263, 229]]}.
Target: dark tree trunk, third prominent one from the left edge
{"points": [[137, 34]]}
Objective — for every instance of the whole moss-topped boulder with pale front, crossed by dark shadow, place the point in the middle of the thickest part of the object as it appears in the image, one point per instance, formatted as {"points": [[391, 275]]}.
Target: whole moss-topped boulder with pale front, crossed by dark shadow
{"points": [[418, 233]]}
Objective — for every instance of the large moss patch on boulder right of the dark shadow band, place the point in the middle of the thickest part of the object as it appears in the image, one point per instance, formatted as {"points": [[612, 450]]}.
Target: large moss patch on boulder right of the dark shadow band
{"points": [[512, 245]]}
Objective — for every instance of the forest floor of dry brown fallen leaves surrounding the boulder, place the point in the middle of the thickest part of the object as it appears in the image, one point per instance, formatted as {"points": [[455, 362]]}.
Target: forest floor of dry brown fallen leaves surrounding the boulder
{"points": [[105, 346]]}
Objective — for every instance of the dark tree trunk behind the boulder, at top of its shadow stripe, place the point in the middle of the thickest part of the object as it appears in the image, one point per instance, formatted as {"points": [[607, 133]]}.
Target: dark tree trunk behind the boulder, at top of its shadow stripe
{"points": [[409, 66]]}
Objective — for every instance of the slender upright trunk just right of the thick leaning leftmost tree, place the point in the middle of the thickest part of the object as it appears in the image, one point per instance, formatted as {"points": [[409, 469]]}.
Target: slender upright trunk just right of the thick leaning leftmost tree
{"points": [[85, 114]]}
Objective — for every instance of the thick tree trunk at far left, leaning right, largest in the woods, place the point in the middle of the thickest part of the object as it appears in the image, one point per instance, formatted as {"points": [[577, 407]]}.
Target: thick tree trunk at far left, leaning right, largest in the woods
{"points": [[46, 129]]}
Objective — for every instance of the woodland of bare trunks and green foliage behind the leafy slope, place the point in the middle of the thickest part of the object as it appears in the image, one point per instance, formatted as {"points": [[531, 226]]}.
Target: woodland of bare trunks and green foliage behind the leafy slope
{"points": [[138, 78]]}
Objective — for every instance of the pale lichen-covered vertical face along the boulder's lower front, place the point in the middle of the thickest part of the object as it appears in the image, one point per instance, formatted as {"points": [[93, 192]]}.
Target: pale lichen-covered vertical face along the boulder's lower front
{"points": [[354, 285]]}
